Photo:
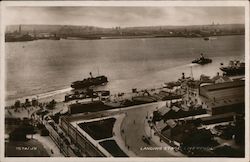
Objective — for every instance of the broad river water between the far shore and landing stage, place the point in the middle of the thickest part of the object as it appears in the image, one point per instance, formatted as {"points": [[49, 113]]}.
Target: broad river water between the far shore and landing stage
{"points": [[49, 66]]}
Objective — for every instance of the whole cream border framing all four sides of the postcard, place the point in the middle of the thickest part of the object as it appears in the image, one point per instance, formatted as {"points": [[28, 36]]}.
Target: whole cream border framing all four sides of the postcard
{"points": [[124, 3]]}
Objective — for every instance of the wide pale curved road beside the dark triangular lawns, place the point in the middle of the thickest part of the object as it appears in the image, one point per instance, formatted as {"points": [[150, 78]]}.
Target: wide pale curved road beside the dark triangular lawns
{"points": [[134, 128]]}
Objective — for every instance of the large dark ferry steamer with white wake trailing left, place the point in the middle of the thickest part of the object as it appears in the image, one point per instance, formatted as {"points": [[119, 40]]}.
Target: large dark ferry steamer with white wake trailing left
{"points": [[92, 81]]}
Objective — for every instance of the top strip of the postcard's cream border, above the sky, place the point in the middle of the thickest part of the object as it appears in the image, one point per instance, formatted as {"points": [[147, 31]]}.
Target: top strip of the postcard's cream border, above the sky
{"points": [[125, 3]]}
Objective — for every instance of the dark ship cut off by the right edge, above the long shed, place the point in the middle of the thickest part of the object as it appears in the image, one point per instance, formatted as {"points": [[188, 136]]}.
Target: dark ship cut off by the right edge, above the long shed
{"points": [[234, 68]]}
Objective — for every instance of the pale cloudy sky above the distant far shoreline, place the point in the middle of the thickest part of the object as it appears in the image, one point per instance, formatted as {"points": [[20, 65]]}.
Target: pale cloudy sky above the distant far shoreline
{"points": [[124, 16]]}
